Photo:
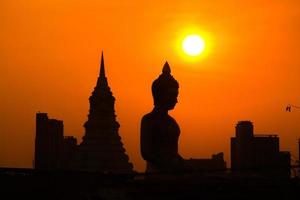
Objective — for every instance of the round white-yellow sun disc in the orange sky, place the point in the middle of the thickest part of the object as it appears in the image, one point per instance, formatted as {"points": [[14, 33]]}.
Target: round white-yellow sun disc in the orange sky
{"points": [[193, 45]]}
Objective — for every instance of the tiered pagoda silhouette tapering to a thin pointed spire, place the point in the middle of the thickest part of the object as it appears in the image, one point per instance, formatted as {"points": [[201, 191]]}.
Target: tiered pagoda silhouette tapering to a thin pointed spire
{"points": [[101, 148]]}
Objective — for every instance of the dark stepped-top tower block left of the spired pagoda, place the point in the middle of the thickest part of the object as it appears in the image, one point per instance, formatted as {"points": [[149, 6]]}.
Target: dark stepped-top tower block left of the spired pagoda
{"points": [[48, 142]]}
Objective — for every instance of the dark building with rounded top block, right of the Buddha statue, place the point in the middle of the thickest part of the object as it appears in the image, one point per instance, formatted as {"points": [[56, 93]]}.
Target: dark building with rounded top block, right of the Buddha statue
{"points": [[257, 152]]}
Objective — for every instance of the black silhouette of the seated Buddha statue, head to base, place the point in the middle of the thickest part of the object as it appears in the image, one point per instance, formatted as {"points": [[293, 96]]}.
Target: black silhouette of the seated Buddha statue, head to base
{"points": [[159, 131]]}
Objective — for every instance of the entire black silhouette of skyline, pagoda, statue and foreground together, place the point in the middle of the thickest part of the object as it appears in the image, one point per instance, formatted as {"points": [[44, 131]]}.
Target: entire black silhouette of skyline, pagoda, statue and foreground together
{"points": [[98, 167]]}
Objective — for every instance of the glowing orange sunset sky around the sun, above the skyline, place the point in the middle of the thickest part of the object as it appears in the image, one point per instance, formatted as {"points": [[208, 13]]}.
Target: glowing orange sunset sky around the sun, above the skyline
{"points": [[49, 62]]}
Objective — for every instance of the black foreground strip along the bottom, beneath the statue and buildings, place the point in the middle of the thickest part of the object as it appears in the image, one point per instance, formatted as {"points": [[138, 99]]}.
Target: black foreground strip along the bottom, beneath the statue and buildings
{"points": [[32, 184]]}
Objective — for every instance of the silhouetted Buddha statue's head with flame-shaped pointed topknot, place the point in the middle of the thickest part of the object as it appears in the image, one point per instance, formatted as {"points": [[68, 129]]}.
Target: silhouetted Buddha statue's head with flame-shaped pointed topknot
{"points": [[165, 90]]}
